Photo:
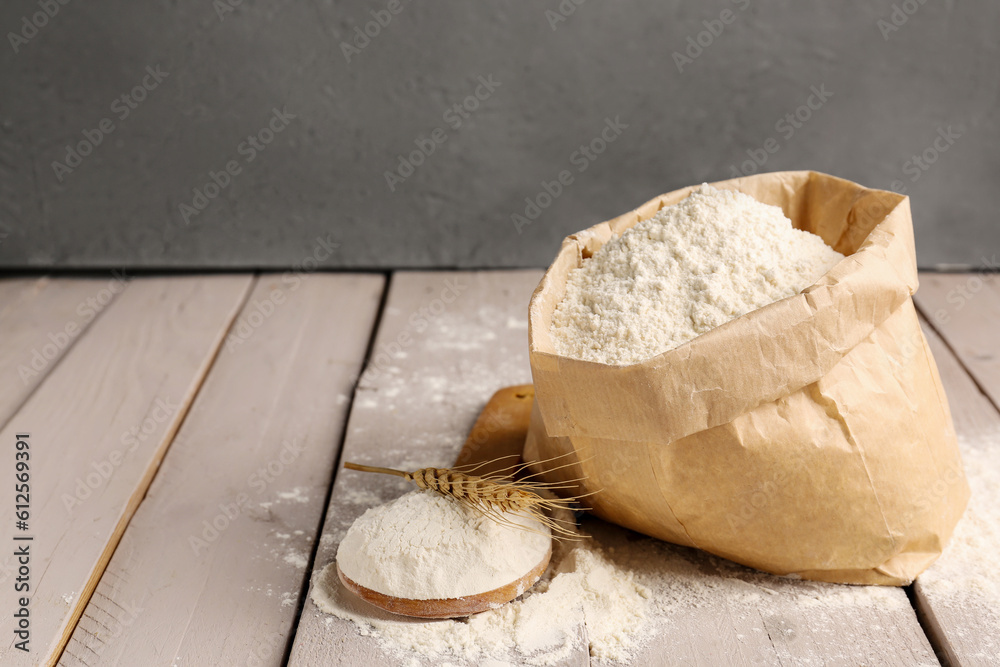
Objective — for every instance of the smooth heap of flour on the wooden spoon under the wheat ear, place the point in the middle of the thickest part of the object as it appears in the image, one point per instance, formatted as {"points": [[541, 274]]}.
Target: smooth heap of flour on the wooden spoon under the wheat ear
{"points": [[425, 546]]}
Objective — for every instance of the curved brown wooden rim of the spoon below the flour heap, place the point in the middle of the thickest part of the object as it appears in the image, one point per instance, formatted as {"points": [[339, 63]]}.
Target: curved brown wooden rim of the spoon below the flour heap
{"points": [[449, 607]]}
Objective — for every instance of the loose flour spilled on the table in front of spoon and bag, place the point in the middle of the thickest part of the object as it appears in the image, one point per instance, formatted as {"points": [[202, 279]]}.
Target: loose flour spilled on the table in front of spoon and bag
{"points": [[627, 598]]}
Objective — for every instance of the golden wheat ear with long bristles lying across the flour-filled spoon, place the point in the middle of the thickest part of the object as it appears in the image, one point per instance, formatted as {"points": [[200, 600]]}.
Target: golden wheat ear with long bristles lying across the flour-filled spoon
{"points": [[495, 495]]}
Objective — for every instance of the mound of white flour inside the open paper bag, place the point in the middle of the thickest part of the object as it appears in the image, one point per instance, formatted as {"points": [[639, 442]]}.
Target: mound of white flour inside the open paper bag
{"points": [[691, 267]]}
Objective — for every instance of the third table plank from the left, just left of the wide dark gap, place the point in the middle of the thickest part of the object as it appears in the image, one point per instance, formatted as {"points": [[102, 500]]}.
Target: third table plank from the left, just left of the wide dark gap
{"points": [[216, 556]]}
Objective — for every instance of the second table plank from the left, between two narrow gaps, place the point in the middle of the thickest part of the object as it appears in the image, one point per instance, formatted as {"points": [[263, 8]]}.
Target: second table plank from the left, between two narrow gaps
{"points": [[99, 427]]}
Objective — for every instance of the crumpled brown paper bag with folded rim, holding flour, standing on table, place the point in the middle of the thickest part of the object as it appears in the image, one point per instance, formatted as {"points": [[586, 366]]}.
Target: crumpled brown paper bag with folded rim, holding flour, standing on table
{"points": [[811, 437]]}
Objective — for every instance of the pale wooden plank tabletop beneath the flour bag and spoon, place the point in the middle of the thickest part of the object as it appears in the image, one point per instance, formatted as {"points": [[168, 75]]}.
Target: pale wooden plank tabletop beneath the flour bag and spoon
{"points": [[185, 434]]}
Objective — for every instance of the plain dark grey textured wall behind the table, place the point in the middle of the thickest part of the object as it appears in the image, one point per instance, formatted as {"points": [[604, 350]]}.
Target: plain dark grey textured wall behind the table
{"points": [[323, 176]]}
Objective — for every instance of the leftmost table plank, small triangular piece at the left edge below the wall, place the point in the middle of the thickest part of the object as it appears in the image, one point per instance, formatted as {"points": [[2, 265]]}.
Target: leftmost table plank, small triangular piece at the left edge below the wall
{"points": [[41, 319]]}
